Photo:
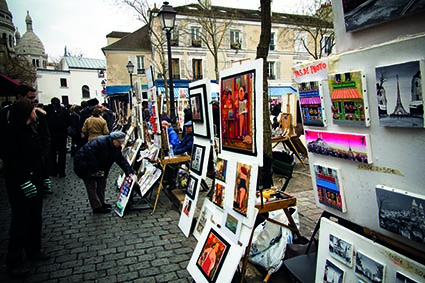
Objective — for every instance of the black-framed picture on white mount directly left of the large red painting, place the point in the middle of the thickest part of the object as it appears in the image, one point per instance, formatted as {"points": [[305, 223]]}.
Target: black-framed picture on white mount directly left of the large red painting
{"points": [[199, 97]]}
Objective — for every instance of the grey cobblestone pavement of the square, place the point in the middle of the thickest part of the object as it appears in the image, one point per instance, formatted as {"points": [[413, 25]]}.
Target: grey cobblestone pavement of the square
{"points": [[137, 248]]}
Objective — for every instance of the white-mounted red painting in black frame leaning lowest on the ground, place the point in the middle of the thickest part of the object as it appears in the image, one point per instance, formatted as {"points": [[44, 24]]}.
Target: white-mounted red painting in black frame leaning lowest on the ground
{"points": [[215, 258]]}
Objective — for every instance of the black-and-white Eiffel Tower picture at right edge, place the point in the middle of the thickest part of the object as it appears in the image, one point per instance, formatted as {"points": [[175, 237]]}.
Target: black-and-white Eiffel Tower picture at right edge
{"points": [[399, 95]]}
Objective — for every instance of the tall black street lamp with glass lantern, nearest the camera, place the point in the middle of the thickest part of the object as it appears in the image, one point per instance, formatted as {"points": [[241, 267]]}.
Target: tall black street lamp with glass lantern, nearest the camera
{"points": [[167, 16]]}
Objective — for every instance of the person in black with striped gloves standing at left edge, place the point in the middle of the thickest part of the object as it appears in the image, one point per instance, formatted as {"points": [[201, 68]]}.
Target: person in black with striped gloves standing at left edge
{"points": [[20, 149]]}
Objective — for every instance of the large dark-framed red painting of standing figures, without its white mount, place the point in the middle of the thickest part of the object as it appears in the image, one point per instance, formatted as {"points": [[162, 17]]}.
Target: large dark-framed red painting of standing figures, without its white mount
{"points": [[237, 113]]}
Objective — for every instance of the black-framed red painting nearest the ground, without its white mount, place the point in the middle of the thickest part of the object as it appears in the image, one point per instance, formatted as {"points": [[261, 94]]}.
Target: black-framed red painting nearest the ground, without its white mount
{"points": [[212, 255]]}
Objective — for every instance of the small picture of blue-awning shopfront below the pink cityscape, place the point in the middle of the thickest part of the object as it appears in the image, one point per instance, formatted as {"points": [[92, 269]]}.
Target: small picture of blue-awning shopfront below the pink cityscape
{"points": [[328, 187]]}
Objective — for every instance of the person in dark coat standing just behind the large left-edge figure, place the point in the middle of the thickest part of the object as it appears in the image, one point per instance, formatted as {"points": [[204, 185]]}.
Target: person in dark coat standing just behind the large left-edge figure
{"points": [[59, 120]]}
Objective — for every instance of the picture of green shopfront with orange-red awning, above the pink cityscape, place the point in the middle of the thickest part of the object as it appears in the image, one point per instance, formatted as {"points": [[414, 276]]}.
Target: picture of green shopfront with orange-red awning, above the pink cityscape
{"points": [[349, 103]]}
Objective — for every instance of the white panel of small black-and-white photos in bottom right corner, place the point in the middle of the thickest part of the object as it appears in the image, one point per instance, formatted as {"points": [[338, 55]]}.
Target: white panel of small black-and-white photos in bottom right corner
{"points": [[358, 259]]}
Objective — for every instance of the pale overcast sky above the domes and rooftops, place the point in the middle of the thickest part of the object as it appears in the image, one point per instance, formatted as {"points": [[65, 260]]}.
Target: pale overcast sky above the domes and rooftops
{"points": [[82, 25]]}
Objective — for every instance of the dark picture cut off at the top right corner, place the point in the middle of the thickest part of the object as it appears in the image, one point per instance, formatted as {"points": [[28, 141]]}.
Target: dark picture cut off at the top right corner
{"points": [[359, 14]]}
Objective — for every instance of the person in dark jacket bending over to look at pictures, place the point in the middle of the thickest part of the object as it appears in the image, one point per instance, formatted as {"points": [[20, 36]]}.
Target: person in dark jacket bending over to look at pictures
{"points": [[92, 163]]}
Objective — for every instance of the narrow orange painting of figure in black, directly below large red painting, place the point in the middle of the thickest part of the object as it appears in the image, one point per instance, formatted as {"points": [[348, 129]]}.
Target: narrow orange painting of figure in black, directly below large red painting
{"points": [[241, 195]]}
